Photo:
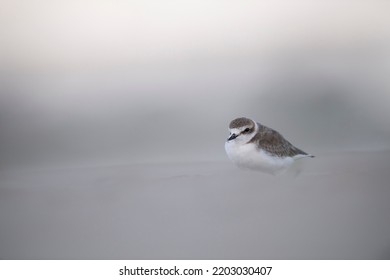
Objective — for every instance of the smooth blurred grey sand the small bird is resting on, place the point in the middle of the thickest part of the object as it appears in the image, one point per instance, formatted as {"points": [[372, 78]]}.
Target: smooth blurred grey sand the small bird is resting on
{"points": [[338, 208]]}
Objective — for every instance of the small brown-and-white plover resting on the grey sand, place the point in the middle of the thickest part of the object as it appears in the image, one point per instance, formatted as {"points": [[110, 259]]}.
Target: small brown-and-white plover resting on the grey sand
{"points": [[254, 146]]}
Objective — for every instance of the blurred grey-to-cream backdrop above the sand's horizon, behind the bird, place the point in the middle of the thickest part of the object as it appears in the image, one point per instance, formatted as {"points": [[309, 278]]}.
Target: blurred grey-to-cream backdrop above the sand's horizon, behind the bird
{"points": [[86, 82]]}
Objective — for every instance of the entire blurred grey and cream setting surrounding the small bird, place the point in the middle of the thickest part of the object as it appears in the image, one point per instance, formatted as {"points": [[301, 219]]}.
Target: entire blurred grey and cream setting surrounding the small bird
{"points": [[114, 114]]}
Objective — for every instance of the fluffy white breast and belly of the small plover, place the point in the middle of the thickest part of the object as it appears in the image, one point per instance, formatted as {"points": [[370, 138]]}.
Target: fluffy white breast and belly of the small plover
{"points": [[248, 156]]}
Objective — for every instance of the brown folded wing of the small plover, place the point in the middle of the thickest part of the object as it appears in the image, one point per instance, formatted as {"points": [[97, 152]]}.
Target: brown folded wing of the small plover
{"points": [[274, 143]]}
